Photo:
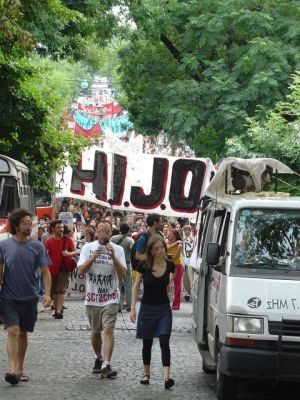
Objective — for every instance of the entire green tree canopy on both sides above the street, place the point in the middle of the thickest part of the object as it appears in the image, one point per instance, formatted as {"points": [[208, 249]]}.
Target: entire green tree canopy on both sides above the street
{"points": [[199, 70]]}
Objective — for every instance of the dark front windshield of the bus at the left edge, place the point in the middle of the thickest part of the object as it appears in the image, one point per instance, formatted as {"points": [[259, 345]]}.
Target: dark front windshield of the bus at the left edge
{"points": [[9, 198]]}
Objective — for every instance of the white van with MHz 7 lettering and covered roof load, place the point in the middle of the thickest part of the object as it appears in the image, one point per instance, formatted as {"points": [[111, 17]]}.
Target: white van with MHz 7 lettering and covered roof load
{"points": [[246, 277]]}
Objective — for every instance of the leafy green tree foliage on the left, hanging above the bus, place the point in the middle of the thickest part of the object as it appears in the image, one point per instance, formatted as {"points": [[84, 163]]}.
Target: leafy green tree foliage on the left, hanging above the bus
{"points": [[35, 91]]}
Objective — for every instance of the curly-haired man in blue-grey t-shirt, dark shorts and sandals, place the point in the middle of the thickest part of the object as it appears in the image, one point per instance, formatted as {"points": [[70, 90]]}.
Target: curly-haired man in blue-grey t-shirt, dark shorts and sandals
{"points": [[20, 260]]}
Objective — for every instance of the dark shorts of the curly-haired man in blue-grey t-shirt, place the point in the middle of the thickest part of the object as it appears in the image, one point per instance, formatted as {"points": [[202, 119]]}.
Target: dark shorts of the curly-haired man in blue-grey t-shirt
{"points": [[19, 313]]}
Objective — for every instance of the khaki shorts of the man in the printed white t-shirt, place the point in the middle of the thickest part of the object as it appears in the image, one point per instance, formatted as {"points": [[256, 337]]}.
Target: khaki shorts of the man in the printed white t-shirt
{"points": [[100, 317]]}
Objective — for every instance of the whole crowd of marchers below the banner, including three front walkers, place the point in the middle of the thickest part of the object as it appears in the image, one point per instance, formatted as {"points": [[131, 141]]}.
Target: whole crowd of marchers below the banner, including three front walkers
{"points": [[117, 253]]}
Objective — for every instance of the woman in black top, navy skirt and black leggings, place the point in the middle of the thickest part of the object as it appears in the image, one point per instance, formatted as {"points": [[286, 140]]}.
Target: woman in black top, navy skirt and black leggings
{"points": [[155, 314]]}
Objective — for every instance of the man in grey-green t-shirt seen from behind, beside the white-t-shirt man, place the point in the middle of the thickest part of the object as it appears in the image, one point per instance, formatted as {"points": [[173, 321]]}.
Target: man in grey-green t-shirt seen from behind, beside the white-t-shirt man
{"points": [[126, 242]]}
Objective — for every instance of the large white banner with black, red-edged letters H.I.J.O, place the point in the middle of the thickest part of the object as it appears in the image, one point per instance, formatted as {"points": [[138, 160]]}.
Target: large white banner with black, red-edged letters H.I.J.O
{"points": [[137, 182]]}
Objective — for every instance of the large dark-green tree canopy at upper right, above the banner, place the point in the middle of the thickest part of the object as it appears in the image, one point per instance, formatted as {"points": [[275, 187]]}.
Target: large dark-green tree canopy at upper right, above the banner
{"points": [[198, 69]]}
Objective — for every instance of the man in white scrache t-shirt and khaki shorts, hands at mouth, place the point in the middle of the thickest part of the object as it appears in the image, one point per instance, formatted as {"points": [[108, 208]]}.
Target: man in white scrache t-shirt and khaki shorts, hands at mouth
{"points": [[102, 262]]}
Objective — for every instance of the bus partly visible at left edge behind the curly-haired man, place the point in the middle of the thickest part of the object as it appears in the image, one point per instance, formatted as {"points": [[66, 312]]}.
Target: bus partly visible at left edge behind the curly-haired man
{"points": [[15, 191]]}
